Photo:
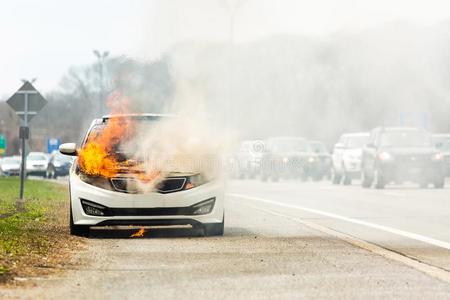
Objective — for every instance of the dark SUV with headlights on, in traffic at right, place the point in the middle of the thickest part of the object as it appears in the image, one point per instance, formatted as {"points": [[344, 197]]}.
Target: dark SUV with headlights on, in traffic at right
{"points": [[399, 154]]}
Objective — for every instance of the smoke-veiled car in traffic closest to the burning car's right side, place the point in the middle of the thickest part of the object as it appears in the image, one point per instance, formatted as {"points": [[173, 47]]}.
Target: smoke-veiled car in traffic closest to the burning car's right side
{"points": [[247, 159]]}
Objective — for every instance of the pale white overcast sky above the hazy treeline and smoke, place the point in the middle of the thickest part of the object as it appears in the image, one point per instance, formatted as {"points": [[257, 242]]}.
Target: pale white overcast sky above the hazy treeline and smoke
{"points": [[44, 38]]}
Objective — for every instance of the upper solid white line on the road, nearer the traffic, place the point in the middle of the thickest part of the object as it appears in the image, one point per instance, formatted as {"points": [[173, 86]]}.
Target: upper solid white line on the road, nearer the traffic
{"points": [[399, 232]]}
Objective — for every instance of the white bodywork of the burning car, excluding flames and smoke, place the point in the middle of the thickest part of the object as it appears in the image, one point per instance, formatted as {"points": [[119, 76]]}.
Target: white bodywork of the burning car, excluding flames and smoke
{"points": [[181, 198]]}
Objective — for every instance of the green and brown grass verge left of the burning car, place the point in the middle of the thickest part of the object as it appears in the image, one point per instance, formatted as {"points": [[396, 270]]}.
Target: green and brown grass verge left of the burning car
{"points": [[36, 241]]}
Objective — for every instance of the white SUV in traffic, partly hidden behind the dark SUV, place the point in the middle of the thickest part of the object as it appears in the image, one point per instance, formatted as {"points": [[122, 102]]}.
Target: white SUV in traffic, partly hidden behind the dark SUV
{"points": [[346, 158]]}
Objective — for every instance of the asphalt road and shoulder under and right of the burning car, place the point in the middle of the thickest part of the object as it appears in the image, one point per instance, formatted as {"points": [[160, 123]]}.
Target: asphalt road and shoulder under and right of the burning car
{"points": [[282, 240]]}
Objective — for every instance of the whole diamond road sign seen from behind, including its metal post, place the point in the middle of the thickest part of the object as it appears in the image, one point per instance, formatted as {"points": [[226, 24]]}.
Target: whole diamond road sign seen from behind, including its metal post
{"points": [[26, 102]]}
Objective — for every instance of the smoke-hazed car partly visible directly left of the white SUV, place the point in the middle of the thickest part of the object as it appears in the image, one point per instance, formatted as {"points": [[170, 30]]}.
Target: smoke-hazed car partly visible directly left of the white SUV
{"points": [[320, 160]]}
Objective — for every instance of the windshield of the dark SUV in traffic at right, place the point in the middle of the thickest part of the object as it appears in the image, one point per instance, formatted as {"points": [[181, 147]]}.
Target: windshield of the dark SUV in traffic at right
{"points": [[405, 139]]}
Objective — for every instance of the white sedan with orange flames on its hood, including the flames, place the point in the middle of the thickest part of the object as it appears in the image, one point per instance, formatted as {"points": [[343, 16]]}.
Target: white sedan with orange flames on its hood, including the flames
{"points": [[112, 185]]}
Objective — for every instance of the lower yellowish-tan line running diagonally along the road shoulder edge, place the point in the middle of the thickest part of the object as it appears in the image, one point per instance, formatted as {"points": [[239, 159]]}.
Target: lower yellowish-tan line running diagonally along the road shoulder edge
{"points": [[386, 253]]}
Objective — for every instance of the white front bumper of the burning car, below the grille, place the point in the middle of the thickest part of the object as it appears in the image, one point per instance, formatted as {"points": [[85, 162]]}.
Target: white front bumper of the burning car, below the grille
{"points": [[145, 209]]}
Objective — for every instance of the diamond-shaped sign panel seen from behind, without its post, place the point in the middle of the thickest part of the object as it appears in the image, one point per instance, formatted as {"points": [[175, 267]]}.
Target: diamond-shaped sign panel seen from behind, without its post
{"points": [[26, 102]]}
